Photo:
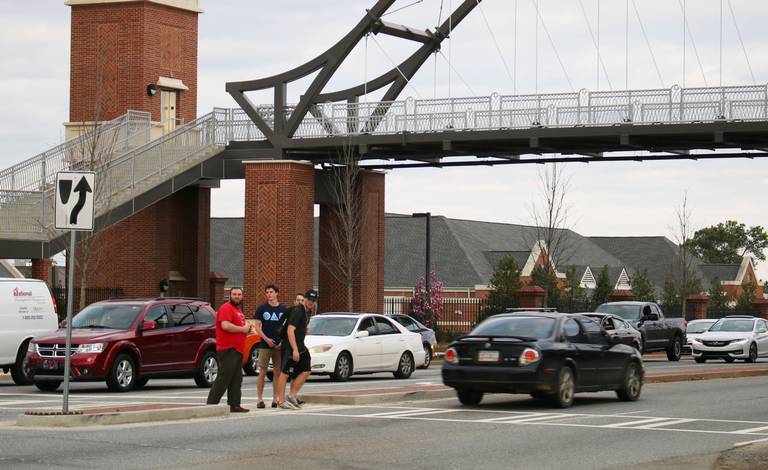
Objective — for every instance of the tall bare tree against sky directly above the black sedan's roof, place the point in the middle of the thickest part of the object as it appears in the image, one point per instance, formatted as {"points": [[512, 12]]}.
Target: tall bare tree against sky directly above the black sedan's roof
{"points": [[551, 224]]}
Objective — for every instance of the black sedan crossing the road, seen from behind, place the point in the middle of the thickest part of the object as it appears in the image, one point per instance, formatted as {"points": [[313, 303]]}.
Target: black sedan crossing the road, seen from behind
{"points": [[547, 355]]}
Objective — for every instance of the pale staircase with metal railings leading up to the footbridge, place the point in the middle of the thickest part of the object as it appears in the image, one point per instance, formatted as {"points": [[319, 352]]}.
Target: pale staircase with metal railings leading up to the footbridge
{"points": [[127, 165]]}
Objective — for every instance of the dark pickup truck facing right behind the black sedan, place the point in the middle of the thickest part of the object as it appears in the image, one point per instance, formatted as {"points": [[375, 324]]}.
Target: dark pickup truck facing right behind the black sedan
{"points": [[659, 333]]}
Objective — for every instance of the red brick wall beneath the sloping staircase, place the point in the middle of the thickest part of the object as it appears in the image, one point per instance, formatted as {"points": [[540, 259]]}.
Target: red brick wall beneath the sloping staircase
{"points": [[137, 253]]}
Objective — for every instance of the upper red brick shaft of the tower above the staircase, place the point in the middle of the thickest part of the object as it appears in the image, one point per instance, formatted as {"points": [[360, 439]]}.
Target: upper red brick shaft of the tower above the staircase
{"points": [[119, 48]]}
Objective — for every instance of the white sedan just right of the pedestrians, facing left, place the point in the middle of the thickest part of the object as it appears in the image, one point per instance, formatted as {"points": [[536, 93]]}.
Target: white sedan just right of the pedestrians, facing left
{"points": [[343, 344]]}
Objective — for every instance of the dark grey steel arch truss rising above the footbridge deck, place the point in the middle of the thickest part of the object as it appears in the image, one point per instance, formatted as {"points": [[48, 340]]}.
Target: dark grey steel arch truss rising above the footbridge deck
{"points": [[328, 63]]}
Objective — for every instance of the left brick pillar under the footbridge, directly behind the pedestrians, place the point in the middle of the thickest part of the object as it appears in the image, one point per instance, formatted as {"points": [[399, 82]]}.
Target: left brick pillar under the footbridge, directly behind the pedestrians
{"points": [[278, 229]]}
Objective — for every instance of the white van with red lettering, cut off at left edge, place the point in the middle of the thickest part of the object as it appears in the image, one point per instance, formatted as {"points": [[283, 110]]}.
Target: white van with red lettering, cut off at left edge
{"points": [[27, 310]]}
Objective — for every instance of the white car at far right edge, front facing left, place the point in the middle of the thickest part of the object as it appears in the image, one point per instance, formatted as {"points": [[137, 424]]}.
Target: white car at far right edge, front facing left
{"points": [[733, 337]]}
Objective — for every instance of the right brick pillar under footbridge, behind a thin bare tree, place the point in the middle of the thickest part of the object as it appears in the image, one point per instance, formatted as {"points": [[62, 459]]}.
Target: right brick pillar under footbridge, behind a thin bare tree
{"points": [[368, 275]]}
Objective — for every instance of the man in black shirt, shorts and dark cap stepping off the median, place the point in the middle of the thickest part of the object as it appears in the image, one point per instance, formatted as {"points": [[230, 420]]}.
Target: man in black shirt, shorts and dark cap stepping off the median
{"points": [[296, 360]]}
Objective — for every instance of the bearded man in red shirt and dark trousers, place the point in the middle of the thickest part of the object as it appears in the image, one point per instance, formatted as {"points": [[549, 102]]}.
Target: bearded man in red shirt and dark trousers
{"points": [[230, 338]]}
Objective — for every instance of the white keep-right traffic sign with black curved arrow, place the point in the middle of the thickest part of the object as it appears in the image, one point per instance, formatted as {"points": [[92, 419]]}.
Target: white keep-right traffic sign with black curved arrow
{"points": [[74, 200]]}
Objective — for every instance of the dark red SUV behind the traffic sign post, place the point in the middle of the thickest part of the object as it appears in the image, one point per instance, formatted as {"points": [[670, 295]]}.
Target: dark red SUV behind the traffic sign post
{"points": [[128, 341]]}
